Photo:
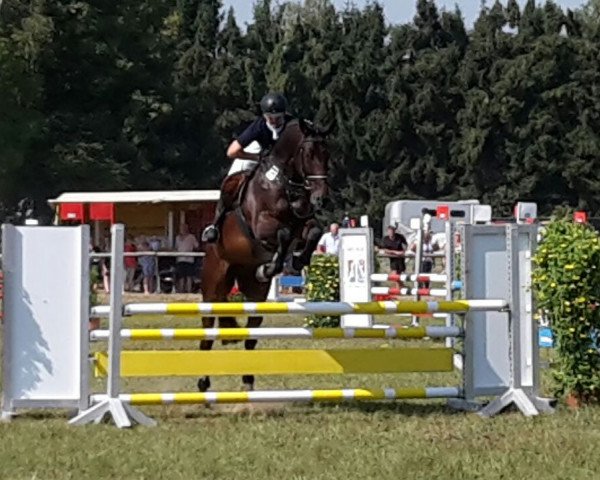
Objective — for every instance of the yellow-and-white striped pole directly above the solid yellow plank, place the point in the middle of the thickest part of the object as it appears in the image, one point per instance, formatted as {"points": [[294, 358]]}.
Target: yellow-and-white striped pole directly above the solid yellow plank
{"points": [[279, 333]]}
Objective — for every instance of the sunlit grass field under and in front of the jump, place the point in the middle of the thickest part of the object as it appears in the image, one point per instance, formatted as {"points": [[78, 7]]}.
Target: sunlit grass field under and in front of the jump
{"points": [[409, 439]]}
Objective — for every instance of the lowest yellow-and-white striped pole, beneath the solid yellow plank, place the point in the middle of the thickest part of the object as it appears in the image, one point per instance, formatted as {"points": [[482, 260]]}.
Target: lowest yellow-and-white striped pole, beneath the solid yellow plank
{"points": [[336, 395]]}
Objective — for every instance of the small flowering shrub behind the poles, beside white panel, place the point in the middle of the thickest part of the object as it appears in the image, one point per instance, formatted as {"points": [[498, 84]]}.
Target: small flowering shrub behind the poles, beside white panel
{"points": [[323, 285]]}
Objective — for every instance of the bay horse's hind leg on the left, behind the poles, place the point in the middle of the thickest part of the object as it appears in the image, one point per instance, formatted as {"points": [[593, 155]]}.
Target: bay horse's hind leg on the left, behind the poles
{"points": [[216, 284]]}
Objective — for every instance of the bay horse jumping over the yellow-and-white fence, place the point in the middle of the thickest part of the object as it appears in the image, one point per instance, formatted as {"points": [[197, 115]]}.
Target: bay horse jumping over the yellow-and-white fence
{"points": [[275, 208]]}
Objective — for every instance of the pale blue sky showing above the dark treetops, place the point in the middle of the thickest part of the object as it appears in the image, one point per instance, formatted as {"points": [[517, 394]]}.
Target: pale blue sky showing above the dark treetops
{"points": [[397, 11]]}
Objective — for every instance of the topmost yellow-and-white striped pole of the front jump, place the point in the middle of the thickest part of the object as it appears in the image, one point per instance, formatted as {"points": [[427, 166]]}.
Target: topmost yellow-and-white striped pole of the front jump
{"points": [[307, 308]]}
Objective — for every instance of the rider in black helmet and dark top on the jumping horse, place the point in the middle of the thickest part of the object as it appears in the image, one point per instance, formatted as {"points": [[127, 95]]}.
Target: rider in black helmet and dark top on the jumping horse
{"points": [[265, 131]]}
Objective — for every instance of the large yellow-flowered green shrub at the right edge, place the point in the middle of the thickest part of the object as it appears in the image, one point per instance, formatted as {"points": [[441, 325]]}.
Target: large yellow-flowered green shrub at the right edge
{"points": [[566, 282]]}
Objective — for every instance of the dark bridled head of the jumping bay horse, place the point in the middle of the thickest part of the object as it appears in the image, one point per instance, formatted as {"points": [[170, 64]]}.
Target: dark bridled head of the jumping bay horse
{"points": [[311, 161]]}
